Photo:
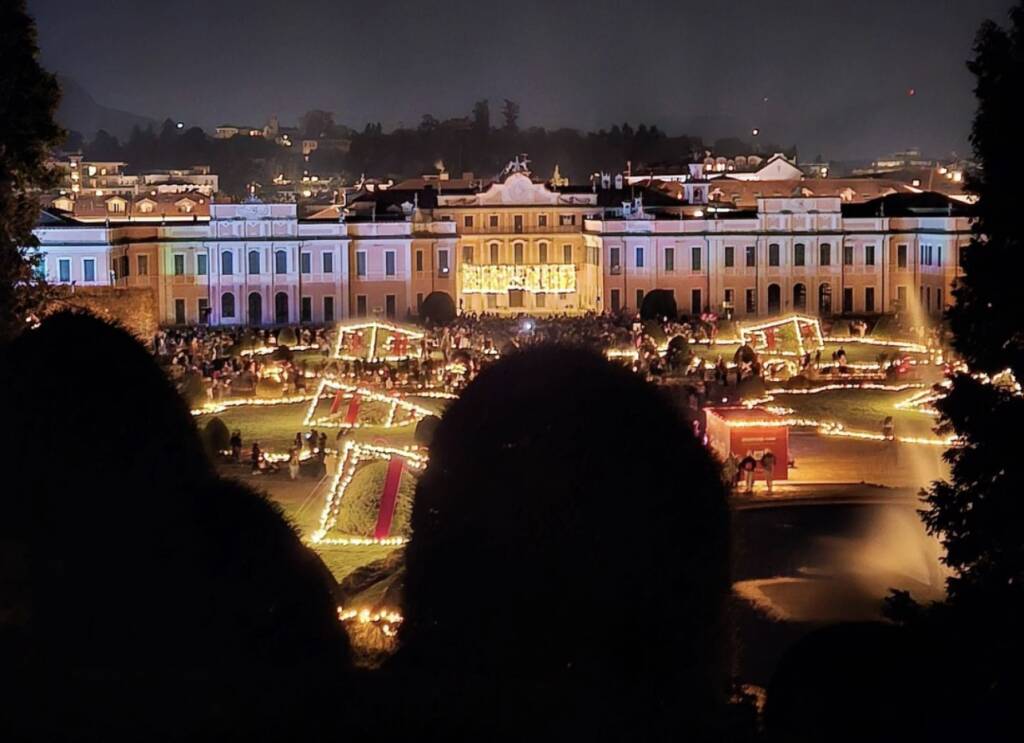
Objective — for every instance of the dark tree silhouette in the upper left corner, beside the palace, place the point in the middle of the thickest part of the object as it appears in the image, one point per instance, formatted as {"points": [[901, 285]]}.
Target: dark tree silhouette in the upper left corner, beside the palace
{"points": [[29, 98]]}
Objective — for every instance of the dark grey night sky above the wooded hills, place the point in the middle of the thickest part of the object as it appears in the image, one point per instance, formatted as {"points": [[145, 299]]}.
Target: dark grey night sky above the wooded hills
{"points": [[836, 73]]}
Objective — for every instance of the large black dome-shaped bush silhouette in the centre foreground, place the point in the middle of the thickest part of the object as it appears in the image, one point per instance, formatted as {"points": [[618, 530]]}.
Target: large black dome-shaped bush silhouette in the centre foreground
{"points": [[564, 579]]}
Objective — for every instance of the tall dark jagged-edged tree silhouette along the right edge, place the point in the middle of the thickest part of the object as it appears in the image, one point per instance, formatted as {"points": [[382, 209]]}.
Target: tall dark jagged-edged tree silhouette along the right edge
{"points": [[979, 513]]}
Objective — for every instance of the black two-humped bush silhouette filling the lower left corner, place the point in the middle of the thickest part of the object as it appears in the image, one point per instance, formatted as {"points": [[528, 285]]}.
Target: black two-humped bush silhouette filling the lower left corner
{"points": [[164, 601]]}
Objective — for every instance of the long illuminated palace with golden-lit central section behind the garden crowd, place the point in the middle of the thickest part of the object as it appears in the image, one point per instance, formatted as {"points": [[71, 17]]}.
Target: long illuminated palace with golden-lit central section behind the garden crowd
{"points": [[517, 246]]}
